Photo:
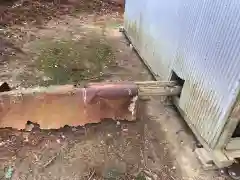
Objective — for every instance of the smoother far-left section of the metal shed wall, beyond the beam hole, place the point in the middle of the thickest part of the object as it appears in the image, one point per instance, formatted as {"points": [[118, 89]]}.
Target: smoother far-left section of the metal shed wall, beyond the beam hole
{"points": [[158, 44]]}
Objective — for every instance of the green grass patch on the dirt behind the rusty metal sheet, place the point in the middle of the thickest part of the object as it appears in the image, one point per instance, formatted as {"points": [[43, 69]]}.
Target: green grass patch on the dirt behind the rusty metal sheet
{"points": [[72, 61]]}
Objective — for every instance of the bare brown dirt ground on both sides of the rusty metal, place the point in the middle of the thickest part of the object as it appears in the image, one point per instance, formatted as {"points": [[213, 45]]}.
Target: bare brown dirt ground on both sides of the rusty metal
{"points": [[64, 45]]}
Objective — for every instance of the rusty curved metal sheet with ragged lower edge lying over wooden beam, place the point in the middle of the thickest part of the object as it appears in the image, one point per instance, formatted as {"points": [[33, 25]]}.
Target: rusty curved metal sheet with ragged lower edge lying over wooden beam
{"points": [[57, 106]]}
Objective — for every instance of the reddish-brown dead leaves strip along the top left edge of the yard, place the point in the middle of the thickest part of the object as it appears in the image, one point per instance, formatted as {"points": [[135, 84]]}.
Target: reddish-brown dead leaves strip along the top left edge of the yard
{"points": [[40, 11]]}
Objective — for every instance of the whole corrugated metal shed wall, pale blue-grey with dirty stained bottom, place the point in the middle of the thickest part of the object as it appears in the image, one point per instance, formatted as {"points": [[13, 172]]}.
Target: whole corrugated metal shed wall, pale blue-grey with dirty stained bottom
{"points": [[200, 41]]}
